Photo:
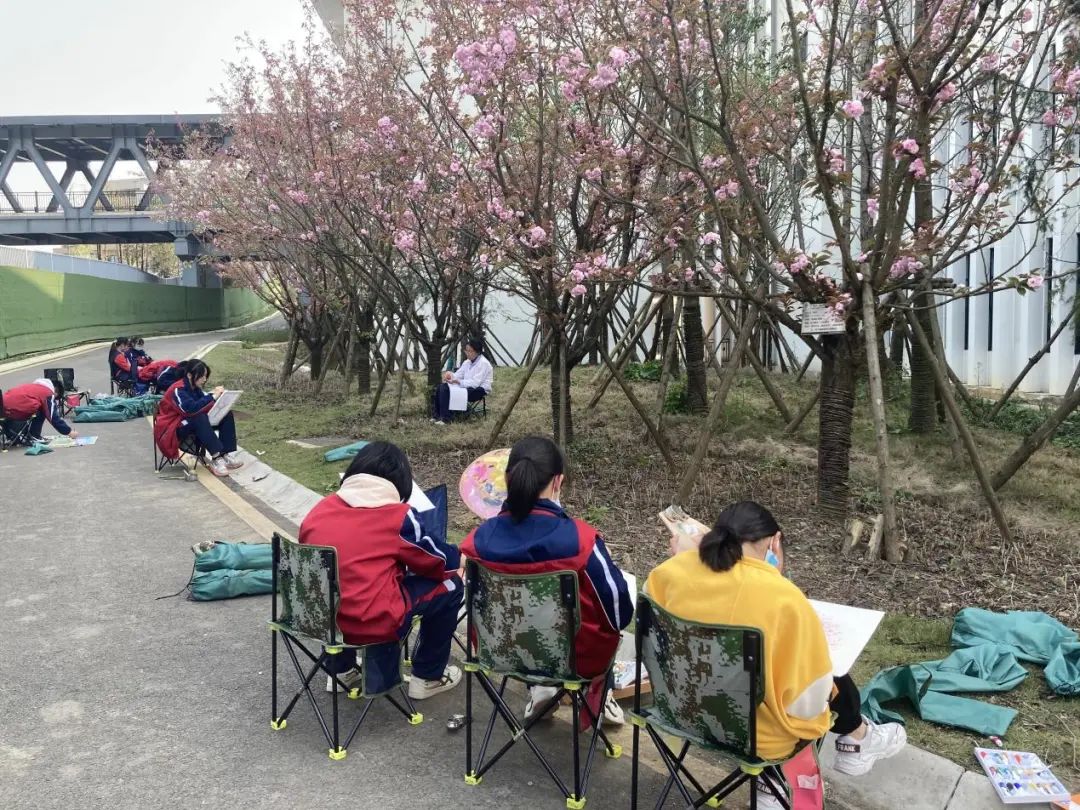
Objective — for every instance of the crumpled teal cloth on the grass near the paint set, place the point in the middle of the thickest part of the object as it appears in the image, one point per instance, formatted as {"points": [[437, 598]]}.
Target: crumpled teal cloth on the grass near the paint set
{"points": [[992, 647]]}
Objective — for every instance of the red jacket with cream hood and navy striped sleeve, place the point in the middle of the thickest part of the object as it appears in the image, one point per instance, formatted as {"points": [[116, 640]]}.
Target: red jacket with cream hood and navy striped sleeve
{"points": [[379, 541]]}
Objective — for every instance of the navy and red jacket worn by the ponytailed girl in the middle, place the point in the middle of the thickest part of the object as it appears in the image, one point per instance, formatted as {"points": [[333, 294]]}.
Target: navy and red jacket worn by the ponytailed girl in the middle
{"points": [[549, 541]]}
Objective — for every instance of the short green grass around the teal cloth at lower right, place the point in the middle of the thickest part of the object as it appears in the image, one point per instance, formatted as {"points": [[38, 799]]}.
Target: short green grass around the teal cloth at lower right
{"points": [[1046, 724]]}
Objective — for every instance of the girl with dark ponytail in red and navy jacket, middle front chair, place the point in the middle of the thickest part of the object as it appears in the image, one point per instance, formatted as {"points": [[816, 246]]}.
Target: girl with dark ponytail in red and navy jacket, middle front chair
{"points": [[534, 535]]}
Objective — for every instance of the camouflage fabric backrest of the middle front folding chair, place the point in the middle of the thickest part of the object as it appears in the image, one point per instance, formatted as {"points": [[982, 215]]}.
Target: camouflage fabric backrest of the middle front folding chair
{"points": [[526, 625]]}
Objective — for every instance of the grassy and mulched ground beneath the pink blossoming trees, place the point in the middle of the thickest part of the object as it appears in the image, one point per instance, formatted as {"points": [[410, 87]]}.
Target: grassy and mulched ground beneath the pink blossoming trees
{"points": [[618, 482]]}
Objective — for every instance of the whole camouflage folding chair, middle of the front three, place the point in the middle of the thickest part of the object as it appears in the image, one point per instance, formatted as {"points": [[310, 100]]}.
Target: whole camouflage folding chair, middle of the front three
{"points": [[523, 628]]}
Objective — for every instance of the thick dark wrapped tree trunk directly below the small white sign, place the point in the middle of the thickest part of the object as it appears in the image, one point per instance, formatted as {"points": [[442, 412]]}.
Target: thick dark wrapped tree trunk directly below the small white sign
{"points": [[834, 424]]}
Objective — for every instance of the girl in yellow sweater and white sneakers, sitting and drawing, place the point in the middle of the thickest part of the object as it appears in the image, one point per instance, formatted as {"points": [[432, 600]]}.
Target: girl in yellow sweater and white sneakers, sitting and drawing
{"points": [[728, 582]]}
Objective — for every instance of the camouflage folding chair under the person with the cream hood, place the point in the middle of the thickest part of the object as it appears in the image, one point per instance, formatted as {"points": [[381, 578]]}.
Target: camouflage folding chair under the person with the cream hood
{"points": [[306, 600]]}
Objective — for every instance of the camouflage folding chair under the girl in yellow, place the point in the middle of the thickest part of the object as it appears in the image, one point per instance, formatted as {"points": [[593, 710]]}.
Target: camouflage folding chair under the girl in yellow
{"points": [[707, 685]]}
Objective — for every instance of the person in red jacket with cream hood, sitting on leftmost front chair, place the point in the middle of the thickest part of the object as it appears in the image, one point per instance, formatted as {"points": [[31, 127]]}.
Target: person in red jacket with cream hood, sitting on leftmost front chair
{"points": [[393, 570]]}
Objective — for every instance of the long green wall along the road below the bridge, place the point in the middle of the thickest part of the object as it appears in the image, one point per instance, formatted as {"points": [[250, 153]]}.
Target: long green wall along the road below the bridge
{"points": [[42, 310]]}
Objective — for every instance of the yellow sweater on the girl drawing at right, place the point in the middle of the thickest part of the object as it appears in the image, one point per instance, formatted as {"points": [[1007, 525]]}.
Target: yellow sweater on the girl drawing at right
{"points": [[799, 674]]}
